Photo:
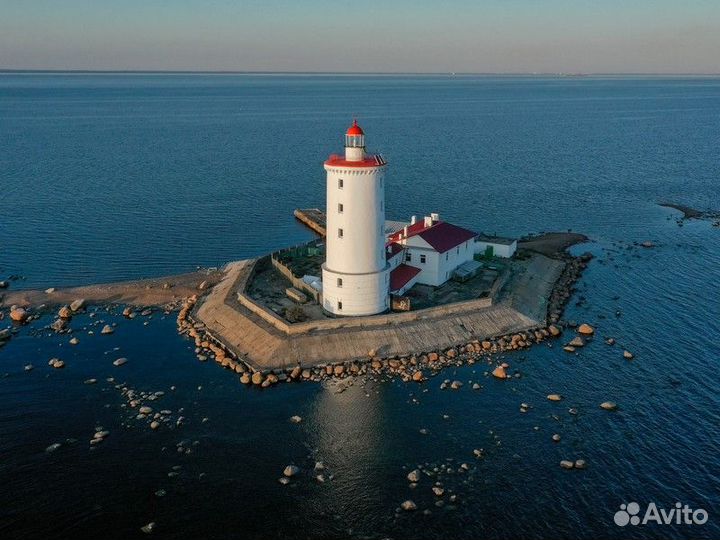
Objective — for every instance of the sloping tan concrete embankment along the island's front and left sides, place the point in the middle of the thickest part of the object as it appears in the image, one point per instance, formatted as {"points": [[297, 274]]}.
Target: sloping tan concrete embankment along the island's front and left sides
{"points": [[263, 346]]}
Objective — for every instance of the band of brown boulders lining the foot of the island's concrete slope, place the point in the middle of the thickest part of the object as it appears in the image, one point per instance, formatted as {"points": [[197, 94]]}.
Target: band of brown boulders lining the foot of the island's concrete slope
{"points": [[408, 368]]}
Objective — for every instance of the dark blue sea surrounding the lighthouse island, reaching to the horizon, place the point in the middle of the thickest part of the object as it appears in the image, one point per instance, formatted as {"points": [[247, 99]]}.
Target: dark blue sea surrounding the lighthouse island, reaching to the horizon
{"points": [[118, 176]]}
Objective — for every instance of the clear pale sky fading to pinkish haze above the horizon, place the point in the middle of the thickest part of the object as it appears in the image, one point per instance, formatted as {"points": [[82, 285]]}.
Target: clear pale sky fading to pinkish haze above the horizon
{"points": [[499, 36]]}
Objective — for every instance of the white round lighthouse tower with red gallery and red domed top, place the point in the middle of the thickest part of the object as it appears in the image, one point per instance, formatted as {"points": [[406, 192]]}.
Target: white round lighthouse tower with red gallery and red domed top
{"points": [[356, 275]]}
